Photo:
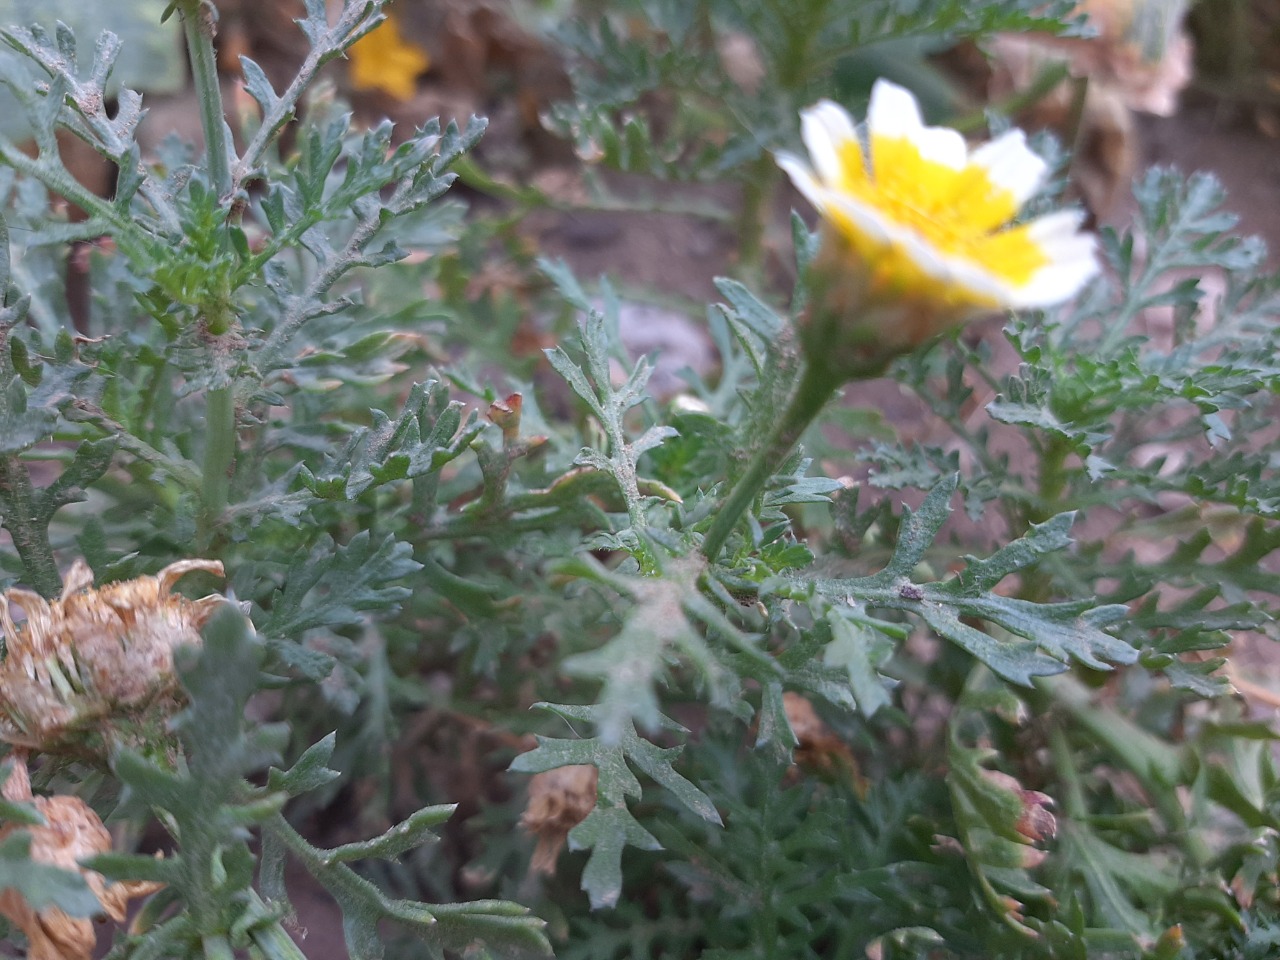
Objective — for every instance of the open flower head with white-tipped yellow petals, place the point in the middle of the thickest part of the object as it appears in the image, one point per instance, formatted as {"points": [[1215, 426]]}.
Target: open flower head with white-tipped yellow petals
{"points": [[927, 221]]}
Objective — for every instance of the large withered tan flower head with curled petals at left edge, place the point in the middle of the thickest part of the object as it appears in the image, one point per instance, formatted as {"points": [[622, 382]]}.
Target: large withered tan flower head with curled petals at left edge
{"points": [[94, 653]]}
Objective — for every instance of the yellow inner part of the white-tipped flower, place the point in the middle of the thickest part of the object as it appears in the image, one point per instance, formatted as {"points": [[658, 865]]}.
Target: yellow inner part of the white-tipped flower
{"points": [[954, 212]]}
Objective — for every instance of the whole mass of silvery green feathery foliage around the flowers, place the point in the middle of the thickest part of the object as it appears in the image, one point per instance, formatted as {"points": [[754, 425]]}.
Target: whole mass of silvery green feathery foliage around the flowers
{"points": [[435, 529]]}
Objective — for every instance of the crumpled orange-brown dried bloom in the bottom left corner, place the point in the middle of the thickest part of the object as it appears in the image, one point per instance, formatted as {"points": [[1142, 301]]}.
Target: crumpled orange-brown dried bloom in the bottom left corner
{"points": [[71, 833]]}
